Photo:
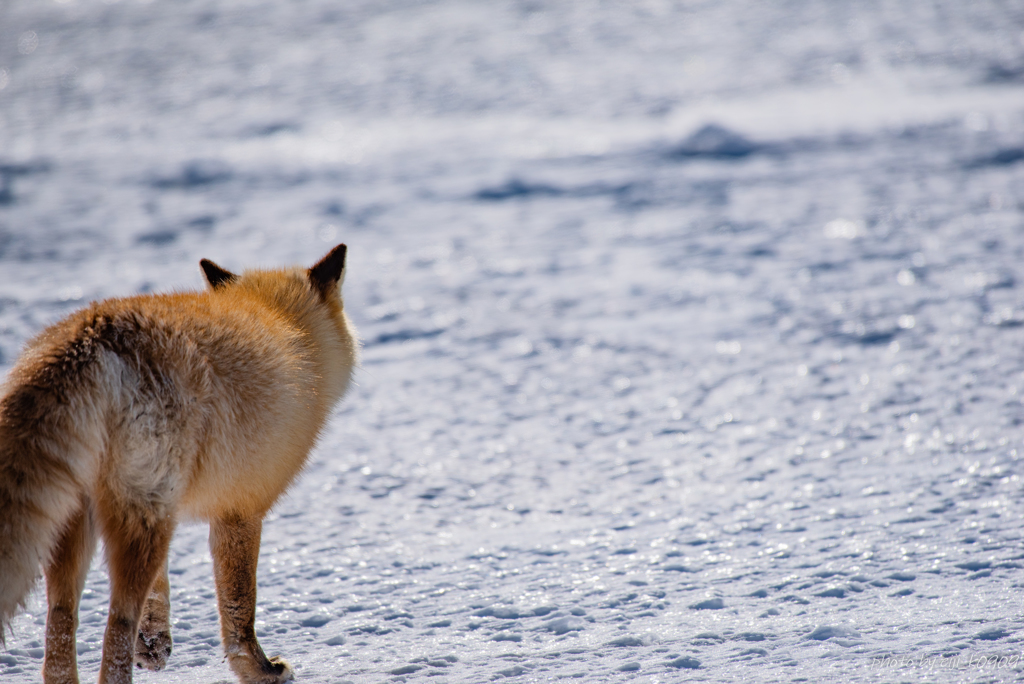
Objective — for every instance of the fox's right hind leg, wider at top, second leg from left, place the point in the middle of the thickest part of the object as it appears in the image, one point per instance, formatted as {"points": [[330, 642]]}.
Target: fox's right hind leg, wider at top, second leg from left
{"points": [[137, 549]]}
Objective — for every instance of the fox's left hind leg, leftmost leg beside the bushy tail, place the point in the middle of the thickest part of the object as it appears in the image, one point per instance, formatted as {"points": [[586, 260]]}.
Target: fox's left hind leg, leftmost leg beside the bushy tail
{"points": [[65, 582]]}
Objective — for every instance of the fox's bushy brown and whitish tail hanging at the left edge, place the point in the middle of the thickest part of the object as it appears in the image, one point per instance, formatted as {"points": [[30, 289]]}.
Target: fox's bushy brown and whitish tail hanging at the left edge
{"points": [[41, 484]]}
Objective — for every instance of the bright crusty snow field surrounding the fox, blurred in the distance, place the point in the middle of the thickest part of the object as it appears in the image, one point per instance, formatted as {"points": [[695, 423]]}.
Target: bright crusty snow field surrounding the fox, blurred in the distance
{"points": [[694, 332]]}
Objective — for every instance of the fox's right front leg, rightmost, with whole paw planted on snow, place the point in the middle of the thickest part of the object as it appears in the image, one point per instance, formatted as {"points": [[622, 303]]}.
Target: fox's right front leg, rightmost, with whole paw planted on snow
{"points": [[235, 546]]}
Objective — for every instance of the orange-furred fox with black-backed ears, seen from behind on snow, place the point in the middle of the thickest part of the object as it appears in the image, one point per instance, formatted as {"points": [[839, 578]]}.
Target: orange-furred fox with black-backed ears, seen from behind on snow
{"points": [[134, 414]]}
